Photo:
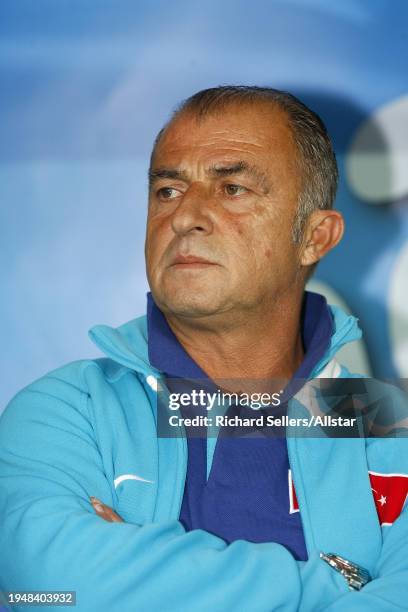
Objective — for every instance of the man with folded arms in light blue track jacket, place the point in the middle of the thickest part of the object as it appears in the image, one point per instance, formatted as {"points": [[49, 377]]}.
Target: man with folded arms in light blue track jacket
{"points": [[242, 183]]}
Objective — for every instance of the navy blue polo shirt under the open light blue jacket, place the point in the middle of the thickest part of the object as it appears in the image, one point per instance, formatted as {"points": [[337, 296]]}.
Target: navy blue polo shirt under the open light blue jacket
{"points": [[246, 495]]}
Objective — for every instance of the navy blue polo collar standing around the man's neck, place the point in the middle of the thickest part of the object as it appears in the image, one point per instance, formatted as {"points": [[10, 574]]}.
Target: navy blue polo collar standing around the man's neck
{"points": [[168, 355]]}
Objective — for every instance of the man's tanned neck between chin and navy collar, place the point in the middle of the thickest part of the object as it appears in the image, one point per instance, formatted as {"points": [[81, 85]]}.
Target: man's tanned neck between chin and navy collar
{"points": [[265, 344]]}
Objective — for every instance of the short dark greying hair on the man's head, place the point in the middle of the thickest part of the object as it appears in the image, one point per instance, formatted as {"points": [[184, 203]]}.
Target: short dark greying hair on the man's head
{"points": [[316, 157]]}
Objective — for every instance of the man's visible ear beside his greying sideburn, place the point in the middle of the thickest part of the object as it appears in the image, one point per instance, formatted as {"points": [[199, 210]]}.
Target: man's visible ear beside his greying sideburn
{"points": [[324, 230]]}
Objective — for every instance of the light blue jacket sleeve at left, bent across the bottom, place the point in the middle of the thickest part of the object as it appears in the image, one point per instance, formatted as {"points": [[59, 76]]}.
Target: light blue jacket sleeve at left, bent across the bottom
{"points": [[51, 539]]}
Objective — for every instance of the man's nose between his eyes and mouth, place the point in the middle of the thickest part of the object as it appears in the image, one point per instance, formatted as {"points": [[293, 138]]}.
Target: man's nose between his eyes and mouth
{"points": [[193, 215]]}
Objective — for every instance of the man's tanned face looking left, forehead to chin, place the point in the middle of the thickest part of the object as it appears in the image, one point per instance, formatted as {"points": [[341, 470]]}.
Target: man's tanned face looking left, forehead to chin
{"points": [[223, 198]]}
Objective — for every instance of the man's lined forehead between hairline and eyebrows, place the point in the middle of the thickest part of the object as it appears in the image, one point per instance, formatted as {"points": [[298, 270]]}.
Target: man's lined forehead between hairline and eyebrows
{"points": [[258, 132]]}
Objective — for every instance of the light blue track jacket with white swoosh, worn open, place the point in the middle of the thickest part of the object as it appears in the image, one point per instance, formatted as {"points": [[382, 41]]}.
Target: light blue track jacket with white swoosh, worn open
{"points": [[89, 429]]}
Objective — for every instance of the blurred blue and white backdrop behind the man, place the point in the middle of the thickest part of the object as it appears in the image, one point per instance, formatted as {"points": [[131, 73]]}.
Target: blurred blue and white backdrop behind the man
{"points": [[84, 87]]}
